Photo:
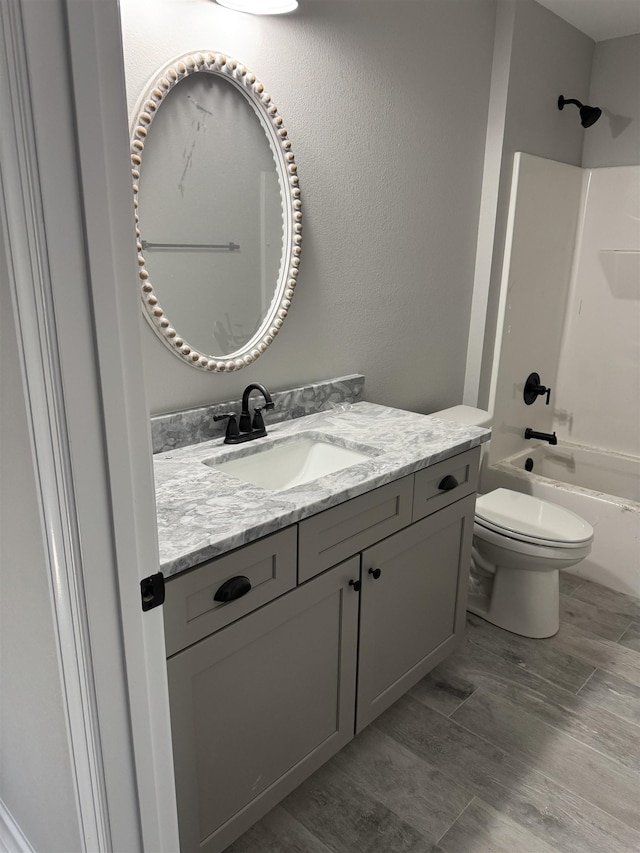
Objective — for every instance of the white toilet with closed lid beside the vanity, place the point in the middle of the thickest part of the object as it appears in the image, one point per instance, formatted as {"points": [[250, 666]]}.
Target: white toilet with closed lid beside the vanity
{"points": [[520, 544]]}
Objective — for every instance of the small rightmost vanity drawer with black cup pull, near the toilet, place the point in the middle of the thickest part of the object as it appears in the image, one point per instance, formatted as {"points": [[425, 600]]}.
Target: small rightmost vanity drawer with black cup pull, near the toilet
{"points": [[431, 492]]}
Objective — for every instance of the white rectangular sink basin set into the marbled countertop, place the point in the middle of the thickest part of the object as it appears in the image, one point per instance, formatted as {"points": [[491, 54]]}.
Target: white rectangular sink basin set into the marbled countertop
{"points": [[287, 465]]}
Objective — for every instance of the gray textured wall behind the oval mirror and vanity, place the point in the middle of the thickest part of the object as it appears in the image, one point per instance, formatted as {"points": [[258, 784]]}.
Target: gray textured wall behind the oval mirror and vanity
{"points": [[386, 106]]}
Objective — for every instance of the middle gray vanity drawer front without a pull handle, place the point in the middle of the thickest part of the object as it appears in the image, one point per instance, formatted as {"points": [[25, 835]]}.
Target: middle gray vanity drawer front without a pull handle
{"points": [[334, 535]]}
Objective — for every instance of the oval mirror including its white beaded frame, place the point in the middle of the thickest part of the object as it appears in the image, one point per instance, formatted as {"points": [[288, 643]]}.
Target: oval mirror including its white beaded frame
{"points": [[218, 220]]}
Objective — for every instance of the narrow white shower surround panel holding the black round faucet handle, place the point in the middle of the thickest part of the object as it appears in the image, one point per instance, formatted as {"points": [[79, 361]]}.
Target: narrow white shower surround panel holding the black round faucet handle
{"points": [[537, 270]]}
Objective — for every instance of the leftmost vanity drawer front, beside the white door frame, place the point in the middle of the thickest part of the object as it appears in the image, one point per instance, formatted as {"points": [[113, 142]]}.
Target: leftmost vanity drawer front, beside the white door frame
{"points": [[190, 610]]}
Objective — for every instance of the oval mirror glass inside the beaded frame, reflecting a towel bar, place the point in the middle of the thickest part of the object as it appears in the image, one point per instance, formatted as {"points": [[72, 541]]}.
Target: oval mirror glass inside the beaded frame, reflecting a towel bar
{"points": [[210, 214]]}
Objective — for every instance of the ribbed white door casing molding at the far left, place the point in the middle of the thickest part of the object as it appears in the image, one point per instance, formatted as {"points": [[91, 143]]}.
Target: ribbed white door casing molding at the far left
{"points": [[21, 205]]}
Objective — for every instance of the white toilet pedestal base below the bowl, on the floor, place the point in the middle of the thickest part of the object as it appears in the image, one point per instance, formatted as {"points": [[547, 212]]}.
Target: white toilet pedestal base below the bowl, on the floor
{"points": [[523, 602]]}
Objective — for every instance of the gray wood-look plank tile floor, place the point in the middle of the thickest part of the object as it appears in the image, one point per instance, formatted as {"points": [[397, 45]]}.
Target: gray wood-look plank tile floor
{"points": [[514, 745]]}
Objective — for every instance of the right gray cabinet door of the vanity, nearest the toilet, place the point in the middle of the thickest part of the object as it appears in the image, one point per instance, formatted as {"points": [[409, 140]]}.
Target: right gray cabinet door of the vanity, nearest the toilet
{"points": [[412, 614]]}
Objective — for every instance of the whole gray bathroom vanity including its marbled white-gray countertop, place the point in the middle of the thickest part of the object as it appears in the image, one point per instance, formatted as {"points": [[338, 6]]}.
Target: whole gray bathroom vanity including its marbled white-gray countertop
{"points": [[353, 586]]}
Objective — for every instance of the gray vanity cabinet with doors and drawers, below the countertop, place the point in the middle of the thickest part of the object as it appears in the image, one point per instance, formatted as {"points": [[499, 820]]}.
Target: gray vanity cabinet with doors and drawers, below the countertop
{"points": [[264, 689]]}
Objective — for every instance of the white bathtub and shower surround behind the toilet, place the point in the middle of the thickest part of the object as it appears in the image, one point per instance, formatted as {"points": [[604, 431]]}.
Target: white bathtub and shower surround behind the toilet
{"points": [[570, 310]]}
